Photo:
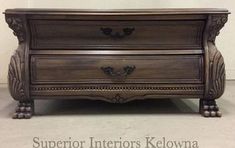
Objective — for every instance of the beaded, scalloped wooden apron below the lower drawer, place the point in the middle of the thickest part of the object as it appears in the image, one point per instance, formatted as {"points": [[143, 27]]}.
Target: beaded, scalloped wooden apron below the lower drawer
{"points": [[116, 93]]}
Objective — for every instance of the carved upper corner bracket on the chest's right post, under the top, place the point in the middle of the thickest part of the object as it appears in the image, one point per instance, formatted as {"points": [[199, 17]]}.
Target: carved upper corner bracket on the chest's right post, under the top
{"points": [[216, 23]]}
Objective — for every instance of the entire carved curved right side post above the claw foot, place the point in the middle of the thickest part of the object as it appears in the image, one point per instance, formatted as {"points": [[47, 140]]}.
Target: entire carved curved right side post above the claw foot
{"points": [[215, 68]]}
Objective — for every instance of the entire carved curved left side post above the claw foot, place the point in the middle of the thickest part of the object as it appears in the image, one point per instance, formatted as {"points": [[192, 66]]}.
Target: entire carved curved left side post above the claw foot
{"points": [[16, 67]]}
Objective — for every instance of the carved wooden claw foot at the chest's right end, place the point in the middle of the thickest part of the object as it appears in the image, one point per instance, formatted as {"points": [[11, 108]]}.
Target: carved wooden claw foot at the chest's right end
{"points": [[209, 108]]}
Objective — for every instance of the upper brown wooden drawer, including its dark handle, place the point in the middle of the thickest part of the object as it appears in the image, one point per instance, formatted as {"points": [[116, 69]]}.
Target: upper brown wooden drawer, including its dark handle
{"points": [[62, 34]]}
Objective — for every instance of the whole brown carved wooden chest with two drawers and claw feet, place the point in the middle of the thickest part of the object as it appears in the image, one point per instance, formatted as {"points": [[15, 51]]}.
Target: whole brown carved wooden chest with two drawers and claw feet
{"points": [[116, 56]]}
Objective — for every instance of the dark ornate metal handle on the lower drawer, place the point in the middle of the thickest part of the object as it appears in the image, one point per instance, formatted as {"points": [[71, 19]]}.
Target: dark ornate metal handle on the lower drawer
{"points": [[127, 70]]}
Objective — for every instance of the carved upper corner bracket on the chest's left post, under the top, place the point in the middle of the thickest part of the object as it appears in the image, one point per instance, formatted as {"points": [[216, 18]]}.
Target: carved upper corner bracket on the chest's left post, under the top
{"points": [[17, 25]]}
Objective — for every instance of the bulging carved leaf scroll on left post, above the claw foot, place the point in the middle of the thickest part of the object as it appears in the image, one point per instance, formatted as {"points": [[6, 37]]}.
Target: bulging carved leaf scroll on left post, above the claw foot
{"points": [[15, 82]]}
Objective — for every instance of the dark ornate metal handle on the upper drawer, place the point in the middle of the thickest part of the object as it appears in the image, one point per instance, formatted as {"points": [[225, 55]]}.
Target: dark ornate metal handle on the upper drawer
{"points": [[125, 32]]}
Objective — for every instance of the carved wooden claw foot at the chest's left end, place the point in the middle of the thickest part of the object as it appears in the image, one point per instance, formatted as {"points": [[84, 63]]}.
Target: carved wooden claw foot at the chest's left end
{"points": [[24, 110]]}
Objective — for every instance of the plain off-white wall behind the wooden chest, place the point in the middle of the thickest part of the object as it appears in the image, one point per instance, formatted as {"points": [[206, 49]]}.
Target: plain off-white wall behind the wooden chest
{"points": [[224, 42]]}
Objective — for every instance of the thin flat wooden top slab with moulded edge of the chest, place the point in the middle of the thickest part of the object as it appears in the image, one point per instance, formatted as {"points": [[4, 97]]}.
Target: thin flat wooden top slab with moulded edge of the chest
{"points": [[117, 11]]}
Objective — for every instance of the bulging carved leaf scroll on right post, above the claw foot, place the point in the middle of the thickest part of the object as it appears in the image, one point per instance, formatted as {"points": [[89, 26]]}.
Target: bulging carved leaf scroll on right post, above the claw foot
{"points": [[216, 73]]}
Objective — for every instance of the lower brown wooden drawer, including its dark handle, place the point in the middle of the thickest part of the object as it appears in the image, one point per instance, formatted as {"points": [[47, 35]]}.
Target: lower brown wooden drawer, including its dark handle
{"points": [[76, 69]]}
